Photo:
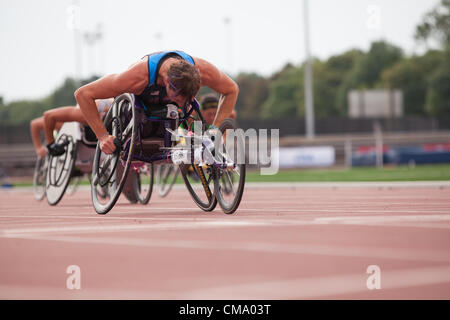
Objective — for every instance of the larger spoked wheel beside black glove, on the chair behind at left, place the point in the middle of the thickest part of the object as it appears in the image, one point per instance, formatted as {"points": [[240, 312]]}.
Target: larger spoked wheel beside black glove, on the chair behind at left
{"points": [[60, 168]]}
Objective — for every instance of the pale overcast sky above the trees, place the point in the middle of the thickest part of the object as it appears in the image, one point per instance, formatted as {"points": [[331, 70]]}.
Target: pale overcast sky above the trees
{"points": [[38, 46]]}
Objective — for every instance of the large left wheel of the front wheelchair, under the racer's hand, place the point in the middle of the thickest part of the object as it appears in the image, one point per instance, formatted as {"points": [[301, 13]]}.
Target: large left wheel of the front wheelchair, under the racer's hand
{"points": [[120, 121]]}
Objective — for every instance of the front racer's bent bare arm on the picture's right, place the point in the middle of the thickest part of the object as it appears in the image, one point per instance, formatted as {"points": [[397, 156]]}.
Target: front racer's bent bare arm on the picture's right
{"points": [[221, 83]]}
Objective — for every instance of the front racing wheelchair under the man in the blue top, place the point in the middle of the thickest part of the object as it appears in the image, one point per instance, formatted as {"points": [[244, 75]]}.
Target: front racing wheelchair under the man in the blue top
{"points": [[153, 136]]}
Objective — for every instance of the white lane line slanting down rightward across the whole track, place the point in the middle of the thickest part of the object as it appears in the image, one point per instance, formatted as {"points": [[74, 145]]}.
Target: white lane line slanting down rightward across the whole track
{"points": [[267, 247]]}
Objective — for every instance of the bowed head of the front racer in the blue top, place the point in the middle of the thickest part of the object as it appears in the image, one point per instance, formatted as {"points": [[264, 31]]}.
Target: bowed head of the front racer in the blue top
{"points": [[183, 82]]}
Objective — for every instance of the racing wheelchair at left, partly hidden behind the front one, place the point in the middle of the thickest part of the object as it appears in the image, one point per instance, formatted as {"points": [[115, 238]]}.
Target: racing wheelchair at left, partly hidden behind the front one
{"points": [[55, 176]]}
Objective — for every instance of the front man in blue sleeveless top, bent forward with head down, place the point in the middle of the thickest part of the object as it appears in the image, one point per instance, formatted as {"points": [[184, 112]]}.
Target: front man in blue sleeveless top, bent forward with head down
{"points": [[157, 79]]}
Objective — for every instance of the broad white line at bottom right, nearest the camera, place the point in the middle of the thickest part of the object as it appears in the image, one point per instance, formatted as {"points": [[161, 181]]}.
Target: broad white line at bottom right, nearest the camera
{"points": [[302, 288]]}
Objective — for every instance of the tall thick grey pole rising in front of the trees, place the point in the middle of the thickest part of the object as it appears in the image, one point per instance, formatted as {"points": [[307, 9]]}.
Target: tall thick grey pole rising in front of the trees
{"points": [[309, 98]]}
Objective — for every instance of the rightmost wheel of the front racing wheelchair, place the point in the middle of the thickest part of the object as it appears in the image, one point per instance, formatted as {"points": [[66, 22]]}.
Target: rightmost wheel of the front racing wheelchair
{"points": [[230, 181]]}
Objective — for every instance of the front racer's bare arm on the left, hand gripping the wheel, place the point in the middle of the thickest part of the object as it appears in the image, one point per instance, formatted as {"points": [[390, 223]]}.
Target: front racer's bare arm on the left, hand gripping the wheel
{"points": [[134, 80]]}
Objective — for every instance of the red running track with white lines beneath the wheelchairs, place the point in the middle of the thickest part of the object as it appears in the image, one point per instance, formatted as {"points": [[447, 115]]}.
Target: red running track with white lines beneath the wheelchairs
{"points": [[285, 242]]}
